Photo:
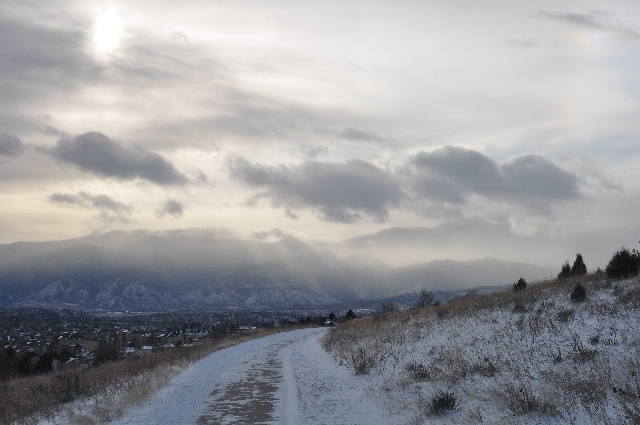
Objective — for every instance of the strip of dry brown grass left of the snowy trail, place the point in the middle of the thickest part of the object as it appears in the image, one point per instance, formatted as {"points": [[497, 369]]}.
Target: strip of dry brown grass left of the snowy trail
{"points": [[109, 387]]}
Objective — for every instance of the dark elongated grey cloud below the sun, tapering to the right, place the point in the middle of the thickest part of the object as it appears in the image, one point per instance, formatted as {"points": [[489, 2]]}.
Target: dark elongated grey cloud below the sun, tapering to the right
{"points": [[96, 153]]}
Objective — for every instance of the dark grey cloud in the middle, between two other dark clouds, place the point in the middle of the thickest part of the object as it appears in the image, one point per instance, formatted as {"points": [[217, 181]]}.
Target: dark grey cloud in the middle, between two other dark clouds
{"points": [[339, 191]]}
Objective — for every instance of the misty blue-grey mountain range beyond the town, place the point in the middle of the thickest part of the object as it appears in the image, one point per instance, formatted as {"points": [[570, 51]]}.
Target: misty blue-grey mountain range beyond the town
{"points": [[213, 269]]}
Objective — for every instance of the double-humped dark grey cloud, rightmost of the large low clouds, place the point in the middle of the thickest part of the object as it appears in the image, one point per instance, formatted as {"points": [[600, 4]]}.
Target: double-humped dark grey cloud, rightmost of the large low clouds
{"points": [[452, 174]]}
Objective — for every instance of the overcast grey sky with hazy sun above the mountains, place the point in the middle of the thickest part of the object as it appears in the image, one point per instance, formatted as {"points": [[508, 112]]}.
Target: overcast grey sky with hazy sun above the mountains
{"points": [[326, 121]]}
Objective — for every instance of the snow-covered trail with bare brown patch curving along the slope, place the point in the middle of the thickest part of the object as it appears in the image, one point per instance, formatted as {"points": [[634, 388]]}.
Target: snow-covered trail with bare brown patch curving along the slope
{"points": [[284, 378]]}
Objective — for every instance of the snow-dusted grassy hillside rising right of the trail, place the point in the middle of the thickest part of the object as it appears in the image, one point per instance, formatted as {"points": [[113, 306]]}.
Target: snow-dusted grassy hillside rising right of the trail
{"points": [[533, 356]]}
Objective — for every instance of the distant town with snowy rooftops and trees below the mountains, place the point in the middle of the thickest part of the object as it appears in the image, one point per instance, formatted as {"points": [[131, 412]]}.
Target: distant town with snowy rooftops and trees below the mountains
{"points": [[60, 339]]}
